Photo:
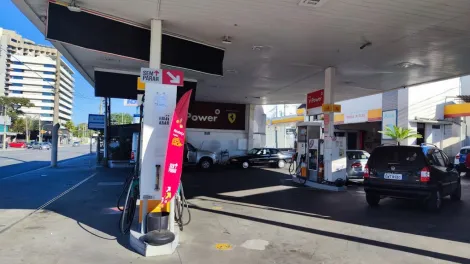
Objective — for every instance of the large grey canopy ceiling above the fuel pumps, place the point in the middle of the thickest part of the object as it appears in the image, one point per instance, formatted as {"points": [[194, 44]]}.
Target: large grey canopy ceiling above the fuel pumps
{"points": [[276, 51]]}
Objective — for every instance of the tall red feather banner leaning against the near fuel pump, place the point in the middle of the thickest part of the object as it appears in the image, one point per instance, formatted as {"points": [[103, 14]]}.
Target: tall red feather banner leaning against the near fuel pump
{"points": [[173, 166]]}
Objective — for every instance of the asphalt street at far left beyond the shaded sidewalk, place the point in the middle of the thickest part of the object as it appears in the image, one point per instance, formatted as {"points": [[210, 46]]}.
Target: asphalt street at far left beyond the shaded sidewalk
{"points": [[16, 161]]}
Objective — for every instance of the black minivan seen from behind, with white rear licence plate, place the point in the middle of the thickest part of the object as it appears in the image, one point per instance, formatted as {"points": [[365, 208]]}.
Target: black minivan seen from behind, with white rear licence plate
{"points": [[411, 172]]}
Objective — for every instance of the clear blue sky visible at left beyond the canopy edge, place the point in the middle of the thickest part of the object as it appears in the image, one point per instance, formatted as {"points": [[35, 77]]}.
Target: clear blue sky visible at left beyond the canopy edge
{"points": [[85, 101]]}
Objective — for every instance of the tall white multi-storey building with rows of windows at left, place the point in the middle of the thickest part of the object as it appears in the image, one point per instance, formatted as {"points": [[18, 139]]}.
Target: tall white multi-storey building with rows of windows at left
{"points": [[28, 70]]}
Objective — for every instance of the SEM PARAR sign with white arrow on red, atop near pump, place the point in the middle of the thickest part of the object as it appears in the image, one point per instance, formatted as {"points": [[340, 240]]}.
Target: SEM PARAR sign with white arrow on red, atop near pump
{"points": [[159, 76]]}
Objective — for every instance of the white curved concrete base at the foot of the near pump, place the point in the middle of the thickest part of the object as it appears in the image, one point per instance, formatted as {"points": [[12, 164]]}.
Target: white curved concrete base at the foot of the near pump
{"points": [[147, 250]]}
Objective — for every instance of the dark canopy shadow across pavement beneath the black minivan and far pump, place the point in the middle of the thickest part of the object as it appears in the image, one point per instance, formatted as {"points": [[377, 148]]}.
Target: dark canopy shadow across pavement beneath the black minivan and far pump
{"points": [[261, 188]]}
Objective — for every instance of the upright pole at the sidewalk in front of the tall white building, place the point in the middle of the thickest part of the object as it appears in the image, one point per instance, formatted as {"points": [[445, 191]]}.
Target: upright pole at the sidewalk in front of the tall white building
{"points": [[55, 121]]}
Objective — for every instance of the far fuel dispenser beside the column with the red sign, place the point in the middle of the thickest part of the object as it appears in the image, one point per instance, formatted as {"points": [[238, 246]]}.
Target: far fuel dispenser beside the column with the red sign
{"points": [[324, 157]]}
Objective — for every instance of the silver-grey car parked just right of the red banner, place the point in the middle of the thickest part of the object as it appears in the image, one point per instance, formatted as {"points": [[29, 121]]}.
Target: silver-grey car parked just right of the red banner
{"points": [[197, 157]]}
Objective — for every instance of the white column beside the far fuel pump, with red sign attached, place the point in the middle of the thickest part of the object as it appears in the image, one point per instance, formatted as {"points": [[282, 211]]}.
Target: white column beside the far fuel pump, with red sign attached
{"points": [[330, 85]]}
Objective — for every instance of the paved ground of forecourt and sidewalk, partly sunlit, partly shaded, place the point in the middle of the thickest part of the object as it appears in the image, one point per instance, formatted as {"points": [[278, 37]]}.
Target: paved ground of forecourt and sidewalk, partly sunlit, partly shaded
{"points": [[257, 212]]}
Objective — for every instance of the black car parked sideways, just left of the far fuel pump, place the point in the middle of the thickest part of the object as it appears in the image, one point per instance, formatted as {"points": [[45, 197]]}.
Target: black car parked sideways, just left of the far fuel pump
{"points": [[262, 157]]}
